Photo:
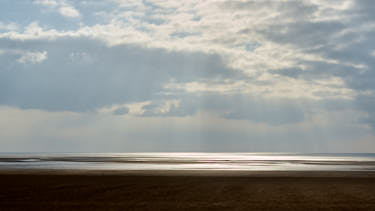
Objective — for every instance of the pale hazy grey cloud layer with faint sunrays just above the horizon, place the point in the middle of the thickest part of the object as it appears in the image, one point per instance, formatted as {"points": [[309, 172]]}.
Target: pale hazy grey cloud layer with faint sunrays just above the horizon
{"points": [[36, 130]]}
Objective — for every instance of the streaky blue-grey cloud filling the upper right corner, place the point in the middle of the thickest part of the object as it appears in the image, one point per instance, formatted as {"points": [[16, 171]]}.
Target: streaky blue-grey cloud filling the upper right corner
{"points": [[333, 41]]}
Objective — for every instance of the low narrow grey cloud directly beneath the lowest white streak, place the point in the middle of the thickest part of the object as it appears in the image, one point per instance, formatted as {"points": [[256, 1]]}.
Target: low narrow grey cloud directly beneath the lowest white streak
{"points": [[256, 109]]}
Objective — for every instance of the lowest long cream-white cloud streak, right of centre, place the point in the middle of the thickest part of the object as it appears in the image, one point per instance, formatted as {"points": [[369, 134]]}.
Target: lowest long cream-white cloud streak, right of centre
{"points": [[288, 88]]}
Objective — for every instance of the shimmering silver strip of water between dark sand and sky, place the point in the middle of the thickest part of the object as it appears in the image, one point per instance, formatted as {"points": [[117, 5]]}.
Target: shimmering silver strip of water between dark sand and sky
{"points": [[190, 161]]}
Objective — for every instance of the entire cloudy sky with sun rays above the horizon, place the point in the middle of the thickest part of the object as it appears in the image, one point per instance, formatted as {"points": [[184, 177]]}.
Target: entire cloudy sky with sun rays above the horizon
{"points": [[192, 75]]}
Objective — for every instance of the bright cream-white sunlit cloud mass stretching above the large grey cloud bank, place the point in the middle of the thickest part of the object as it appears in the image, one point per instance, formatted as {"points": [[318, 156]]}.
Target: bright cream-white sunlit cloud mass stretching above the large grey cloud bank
{"points": [[223, 28]]}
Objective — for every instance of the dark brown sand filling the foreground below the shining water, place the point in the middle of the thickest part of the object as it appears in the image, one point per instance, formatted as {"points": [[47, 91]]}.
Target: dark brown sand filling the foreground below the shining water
{"points": [[111, 190]]}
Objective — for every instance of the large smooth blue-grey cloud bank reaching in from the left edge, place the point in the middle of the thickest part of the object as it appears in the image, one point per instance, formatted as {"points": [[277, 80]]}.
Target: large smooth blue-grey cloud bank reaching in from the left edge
{"points": [[68, 80]]}
